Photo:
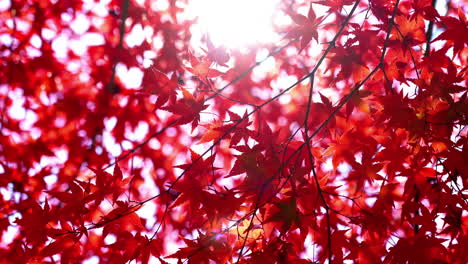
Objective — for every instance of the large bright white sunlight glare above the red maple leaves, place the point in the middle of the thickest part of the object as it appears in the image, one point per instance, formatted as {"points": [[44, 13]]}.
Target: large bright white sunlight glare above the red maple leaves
{"points": [[235, 23]]}
